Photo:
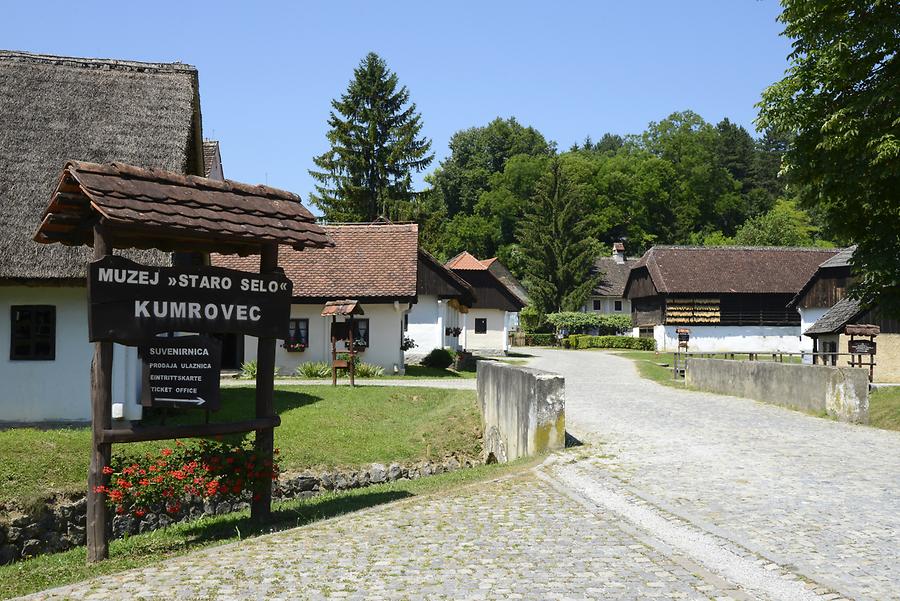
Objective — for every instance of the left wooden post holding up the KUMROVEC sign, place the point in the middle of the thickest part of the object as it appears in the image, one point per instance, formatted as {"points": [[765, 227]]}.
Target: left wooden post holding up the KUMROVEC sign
{"points": [[101, 419]]}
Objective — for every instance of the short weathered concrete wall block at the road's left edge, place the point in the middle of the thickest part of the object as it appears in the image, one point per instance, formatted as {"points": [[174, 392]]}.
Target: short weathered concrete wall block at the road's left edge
{"points": [[524, 410]]}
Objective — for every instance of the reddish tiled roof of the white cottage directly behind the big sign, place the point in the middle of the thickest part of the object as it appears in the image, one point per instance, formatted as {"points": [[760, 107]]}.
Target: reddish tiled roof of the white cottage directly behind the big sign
{"points": [[367, 261]]}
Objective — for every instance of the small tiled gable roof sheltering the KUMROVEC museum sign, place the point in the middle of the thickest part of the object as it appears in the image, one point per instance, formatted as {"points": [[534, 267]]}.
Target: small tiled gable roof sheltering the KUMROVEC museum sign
{"points": [[148, 208]]}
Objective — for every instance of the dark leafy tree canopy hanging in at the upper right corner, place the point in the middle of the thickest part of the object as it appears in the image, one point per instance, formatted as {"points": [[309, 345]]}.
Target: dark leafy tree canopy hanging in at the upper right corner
{"points": [[840, 103]]}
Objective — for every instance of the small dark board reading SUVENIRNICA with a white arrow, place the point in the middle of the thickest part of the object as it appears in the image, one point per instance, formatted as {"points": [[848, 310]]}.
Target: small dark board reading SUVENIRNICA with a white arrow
{"points": [[182, 372]]}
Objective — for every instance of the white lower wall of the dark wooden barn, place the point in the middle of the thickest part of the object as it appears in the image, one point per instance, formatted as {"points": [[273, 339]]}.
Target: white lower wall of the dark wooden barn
{"points": [[736, 339]]}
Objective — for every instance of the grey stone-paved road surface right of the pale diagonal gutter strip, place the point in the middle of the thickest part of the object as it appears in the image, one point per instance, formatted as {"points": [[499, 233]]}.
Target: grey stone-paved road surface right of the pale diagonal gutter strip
{"points": [[818, 496]]}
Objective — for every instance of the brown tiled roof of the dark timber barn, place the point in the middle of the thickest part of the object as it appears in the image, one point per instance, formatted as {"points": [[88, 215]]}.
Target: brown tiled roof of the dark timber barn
{"points": [[731, 269]]}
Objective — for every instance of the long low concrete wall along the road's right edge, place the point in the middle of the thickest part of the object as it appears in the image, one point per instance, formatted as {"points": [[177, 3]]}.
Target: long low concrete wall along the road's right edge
{"points": [[841, 392]]}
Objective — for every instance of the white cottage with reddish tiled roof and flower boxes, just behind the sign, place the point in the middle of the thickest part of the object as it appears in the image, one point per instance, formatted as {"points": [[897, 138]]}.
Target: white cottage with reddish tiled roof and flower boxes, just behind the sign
{"points": [[375, 264]]}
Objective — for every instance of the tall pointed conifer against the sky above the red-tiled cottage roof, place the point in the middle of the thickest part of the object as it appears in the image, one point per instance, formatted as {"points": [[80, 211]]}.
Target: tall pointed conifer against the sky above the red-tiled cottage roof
{"points": [[375, 148]]}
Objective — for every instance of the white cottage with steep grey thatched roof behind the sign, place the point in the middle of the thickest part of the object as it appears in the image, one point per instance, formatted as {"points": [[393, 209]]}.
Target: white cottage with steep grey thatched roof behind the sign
{"points": [[51, 109]]}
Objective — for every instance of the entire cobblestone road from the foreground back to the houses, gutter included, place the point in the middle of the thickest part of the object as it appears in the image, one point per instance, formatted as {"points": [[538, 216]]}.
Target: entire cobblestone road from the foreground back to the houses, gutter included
{"points": [[680, 496]]}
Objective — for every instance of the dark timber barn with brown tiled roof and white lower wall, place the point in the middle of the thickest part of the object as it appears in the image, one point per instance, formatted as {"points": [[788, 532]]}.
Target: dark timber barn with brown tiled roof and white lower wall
{"points": [[731, 298]]}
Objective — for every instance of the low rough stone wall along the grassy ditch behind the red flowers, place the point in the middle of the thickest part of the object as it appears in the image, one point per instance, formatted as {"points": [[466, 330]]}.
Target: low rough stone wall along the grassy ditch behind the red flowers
{"points": [[60, 525]]}
